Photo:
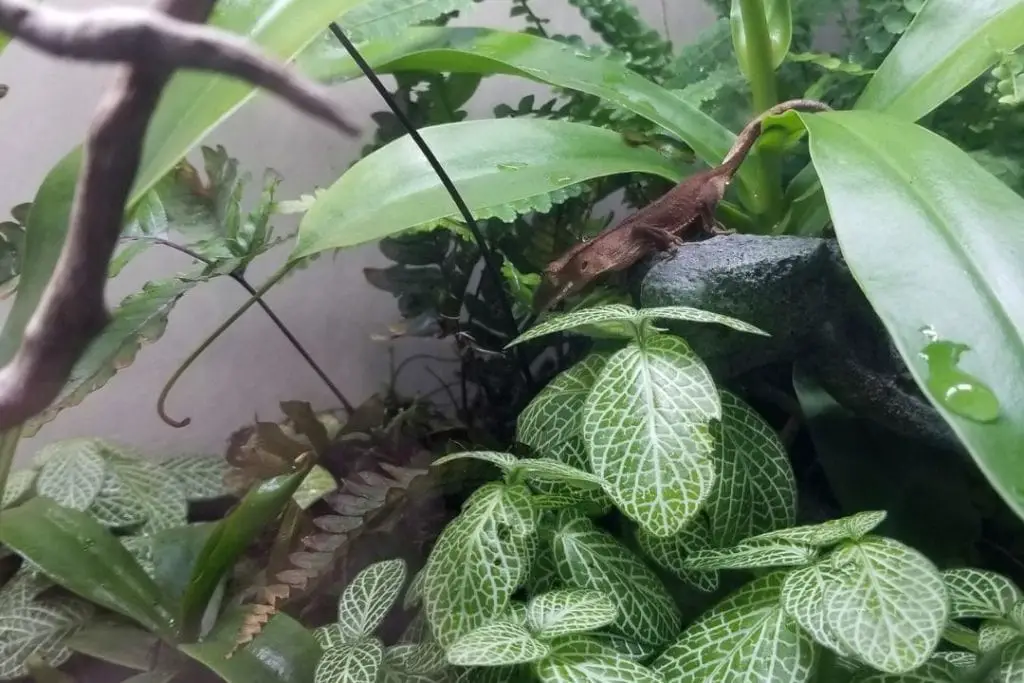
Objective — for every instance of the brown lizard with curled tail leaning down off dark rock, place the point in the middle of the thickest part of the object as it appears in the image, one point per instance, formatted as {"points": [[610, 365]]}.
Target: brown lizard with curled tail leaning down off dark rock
{"points": [[687, 209]]}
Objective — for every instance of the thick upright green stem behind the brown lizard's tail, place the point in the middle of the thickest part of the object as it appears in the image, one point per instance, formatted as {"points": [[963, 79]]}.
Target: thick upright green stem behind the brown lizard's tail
{"points": [[764, 95]]}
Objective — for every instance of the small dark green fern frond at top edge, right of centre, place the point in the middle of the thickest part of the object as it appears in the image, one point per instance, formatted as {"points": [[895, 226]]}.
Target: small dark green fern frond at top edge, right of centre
{"points": [[619, 25]]}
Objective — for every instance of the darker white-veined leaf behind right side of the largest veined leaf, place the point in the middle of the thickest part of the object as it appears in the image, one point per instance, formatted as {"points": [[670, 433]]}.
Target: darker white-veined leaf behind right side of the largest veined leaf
{"points": [[756, 491]]}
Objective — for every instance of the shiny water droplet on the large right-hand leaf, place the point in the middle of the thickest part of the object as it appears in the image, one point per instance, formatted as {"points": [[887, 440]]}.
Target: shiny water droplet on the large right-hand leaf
{"points": [[960, 392]]}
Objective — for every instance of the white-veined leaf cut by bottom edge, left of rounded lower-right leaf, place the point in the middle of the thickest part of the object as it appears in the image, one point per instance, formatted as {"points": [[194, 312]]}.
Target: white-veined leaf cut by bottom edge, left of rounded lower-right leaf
{"points": [[735, 641]]}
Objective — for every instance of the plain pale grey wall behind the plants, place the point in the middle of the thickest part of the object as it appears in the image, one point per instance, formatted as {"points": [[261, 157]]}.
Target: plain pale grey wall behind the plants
{"points": [[330, 307]]}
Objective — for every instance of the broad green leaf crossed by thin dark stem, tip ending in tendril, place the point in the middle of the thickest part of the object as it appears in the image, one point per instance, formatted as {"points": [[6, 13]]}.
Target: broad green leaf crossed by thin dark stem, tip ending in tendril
{"points": [[492, 162]]}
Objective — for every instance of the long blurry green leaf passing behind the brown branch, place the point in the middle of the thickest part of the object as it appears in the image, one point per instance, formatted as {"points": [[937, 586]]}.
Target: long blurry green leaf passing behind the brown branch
{"points": [[193, 105]]}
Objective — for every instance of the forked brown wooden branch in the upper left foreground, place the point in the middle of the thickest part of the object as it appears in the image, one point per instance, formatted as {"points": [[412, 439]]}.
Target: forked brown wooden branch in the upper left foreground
{"points": [[155, 44]]}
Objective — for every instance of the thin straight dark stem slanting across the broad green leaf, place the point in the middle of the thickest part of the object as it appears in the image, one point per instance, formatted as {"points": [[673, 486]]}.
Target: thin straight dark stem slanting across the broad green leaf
{"points": [[489, 260]]}
